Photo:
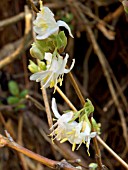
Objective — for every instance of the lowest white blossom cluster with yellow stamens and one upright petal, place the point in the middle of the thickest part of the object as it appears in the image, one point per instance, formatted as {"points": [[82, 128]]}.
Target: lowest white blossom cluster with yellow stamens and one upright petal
{"points": [[67, 130]]}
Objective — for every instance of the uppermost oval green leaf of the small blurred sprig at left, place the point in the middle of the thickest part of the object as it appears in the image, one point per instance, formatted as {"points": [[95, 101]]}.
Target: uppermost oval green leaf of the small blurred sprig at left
{"points": [[13, 88]]}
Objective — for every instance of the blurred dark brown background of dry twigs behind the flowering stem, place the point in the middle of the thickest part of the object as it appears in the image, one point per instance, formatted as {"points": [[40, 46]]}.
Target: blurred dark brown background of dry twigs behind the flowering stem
{"points": [[100, 48]]}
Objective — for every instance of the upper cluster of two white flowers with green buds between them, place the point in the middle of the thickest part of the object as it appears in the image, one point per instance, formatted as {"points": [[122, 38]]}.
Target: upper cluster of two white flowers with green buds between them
{"points": [[49, 40]]}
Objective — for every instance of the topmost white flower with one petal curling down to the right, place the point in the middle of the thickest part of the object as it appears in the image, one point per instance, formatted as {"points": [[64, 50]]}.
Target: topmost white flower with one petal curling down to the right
{"points": [[46, 25]]}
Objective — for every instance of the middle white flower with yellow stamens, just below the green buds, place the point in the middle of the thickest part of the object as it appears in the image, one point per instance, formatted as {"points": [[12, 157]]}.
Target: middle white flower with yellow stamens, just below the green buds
{"points": [[54, 72]]}
